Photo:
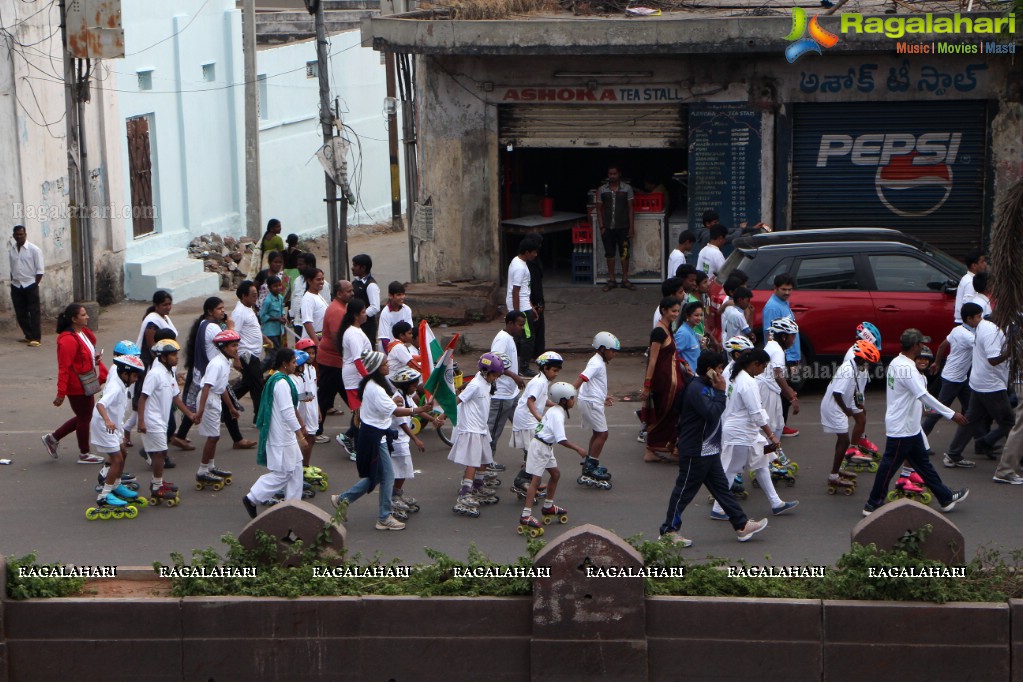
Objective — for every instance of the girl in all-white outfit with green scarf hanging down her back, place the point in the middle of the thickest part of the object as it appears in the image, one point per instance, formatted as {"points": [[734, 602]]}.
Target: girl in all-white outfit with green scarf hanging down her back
{"points": [[282, 437]]}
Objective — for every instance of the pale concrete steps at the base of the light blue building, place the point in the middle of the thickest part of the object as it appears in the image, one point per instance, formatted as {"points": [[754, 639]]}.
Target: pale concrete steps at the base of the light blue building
{"points": [[171, 270]]}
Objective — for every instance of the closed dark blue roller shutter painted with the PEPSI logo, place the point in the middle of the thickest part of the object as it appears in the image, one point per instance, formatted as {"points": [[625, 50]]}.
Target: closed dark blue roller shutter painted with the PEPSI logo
{"points": [[915, 167]]}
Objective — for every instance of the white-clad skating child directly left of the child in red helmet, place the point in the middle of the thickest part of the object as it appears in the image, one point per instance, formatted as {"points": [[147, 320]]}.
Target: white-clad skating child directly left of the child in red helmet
{"points": [[160, 393]]}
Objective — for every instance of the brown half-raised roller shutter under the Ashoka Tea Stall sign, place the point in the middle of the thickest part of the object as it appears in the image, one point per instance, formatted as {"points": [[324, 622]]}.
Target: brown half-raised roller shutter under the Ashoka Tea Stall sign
{"points": [[638, 126]]}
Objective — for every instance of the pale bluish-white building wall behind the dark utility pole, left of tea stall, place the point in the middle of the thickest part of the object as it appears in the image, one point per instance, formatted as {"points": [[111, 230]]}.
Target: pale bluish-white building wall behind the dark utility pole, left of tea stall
{"points": [[292, 178]]}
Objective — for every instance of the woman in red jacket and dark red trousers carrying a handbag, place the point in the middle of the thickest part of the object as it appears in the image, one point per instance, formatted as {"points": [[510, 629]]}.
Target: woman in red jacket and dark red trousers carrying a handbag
{"points": [[80, 377]]}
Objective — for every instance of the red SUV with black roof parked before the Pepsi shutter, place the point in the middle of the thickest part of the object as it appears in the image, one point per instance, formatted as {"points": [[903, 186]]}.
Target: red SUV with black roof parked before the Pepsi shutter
{"points": [[846, 277]]}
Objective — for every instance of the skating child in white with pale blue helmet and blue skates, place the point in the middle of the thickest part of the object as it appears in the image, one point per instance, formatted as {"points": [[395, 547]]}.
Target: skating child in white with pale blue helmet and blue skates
{"points": [[593, 388]]}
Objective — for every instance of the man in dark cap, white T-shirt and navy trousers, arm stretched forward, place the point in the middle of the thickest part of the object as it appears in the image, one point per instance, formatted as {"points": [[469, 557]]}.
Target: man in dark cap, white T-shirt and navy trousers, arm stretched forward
{"points": [[907, 389]]}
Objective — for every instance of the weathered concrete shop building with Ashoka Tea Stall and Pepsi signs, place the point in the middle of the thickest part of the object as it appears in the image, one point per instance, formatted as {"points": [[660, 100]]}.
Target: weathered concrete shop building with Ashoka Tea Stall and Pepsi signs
{"points": [[857, 131]]}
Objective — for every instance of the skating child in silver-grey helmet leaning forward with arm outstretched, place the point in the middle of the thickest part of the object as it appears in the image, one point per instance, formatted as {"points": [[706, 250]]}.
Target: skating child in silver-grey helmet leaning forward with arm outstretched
{"points": [[541, 457]]}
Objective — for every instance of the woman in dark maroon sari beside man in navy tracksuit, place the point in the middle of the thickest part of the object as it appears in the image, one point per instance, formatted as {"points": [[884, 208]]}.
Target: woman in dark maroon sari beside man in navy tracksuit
{"points": [[662, 383]]}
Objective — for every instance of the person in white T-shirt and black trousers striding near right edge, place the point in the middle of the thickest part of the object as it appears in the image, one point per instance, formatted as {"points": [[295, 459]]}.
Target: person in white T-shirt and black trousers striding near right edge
{"points": [[990, 383]]}
